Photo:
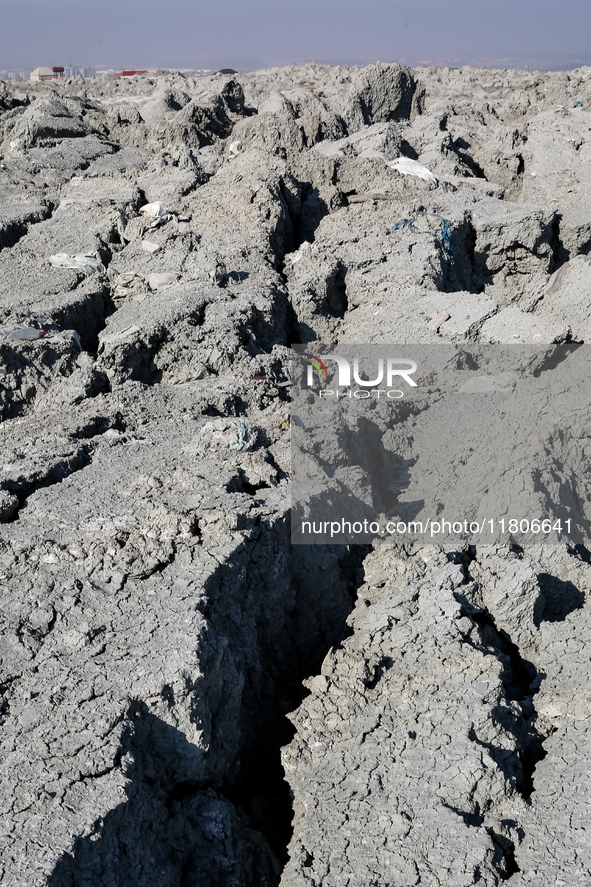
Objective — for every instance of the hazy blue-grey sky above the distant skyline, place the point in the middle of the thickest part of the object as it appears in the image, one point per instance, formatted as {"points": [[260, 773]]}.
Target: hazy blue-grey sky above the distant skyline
{"points": [[260, 33]]}
